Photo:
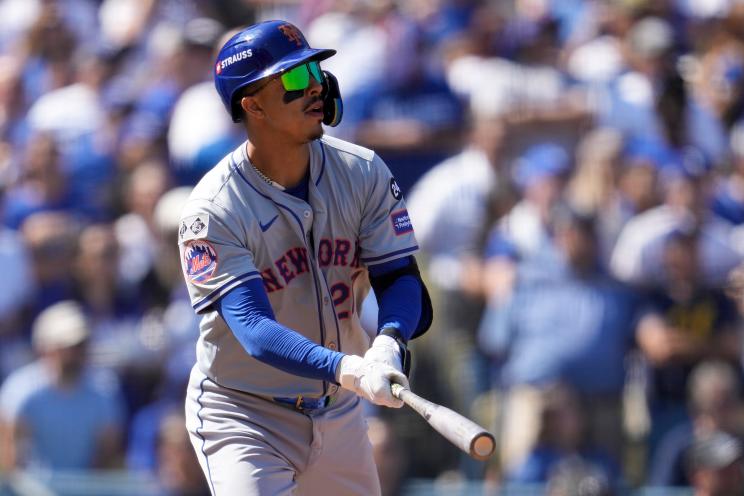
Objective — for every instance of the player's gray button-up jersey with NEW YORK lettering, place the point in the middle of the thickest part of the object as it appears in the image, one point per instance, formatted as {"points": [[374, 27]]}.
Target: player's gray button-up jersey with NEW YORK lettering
{"points": [[312, 257]]}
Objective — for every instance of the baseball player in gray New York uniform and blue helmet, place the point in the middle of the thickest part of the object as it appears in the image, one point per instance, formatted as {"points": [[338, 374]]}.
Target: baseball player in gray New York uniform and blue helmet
{"points": [[280, 242]]}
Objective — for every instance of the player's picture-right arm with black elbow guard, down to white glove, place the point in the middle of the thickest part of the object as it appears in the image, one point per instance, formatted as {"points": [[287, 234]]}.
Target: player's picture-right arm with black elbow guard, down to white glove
{"points": [[405, 310]]}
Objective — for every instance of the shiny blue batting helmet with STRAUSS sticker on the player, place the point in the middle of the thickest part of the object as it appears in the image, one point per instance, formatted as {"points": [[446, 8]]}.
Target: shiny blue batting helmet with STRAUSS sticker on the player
{"points": [[259, 51]]}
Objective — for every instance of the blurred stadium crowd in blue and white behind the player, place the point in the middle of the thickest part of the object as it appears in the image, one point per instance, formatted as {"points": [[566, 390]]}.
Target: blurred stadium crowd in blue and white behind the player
{"points": [[574, 172]]}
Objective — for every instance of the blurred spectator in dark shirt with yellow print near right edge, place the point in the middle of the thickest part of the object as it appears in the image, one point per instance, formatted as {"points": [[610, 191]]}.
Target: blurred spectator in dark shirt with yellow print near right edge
{"points": [[684, 323]]}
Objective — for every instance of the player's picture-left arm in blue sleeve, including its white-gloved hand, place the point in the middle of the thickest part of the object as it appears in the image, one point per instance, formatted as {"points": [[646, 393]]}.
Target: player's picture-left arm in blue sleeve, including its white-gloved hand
{"points": [[247, 311]]}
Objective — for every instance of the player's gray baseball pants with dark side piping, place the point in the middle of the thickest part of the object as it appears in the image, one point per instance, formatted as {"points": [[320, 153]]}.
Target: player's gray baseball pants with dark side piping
{"points": [[249, 445]]}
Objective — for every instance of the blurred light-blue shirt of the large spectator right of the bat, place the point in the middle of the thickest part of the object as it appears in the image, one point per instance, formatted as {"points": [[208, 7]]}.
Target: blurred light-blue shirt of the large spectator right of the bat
{"points": [[562, 328]]}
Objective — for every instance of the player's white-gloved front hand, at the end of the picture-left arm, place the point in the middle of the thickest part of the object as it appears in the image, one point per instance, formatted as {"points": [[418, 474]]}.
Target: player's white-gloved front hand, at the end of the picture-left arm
{"points": [[370, 380]]}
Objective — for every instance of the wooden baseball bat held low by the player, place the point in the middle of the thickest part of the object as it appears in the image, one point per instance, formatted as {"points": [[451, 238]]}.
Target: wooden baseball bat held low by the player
{"points": [[457, 429]]}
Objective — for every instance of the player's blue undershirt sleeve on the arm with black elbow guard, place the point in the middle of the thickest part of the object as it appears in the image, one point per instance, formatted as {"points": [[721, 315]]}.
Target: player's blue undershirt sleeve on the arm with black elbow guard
{"points": [[400, 303]]}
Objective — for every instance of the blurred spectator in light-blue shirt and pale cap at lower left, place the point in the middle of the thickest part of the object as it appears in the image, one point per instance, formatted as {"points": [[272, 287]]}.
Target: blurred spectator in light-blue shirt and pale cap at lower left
{"points": [[57, 412]]}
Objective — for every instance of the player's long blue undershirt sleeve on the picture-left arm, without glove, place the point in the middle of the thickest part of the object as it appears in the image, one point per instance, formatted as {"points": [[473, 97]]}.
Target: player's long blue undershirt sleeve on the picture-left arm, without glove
{"points": [[247, 311]]}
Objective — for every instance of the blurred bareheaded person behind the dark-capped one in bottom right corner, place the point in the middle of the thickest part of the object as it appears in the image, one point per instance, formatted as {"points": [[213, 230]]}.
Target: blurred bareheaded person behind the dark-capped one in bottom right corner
{"points": [[714, 405]]}
